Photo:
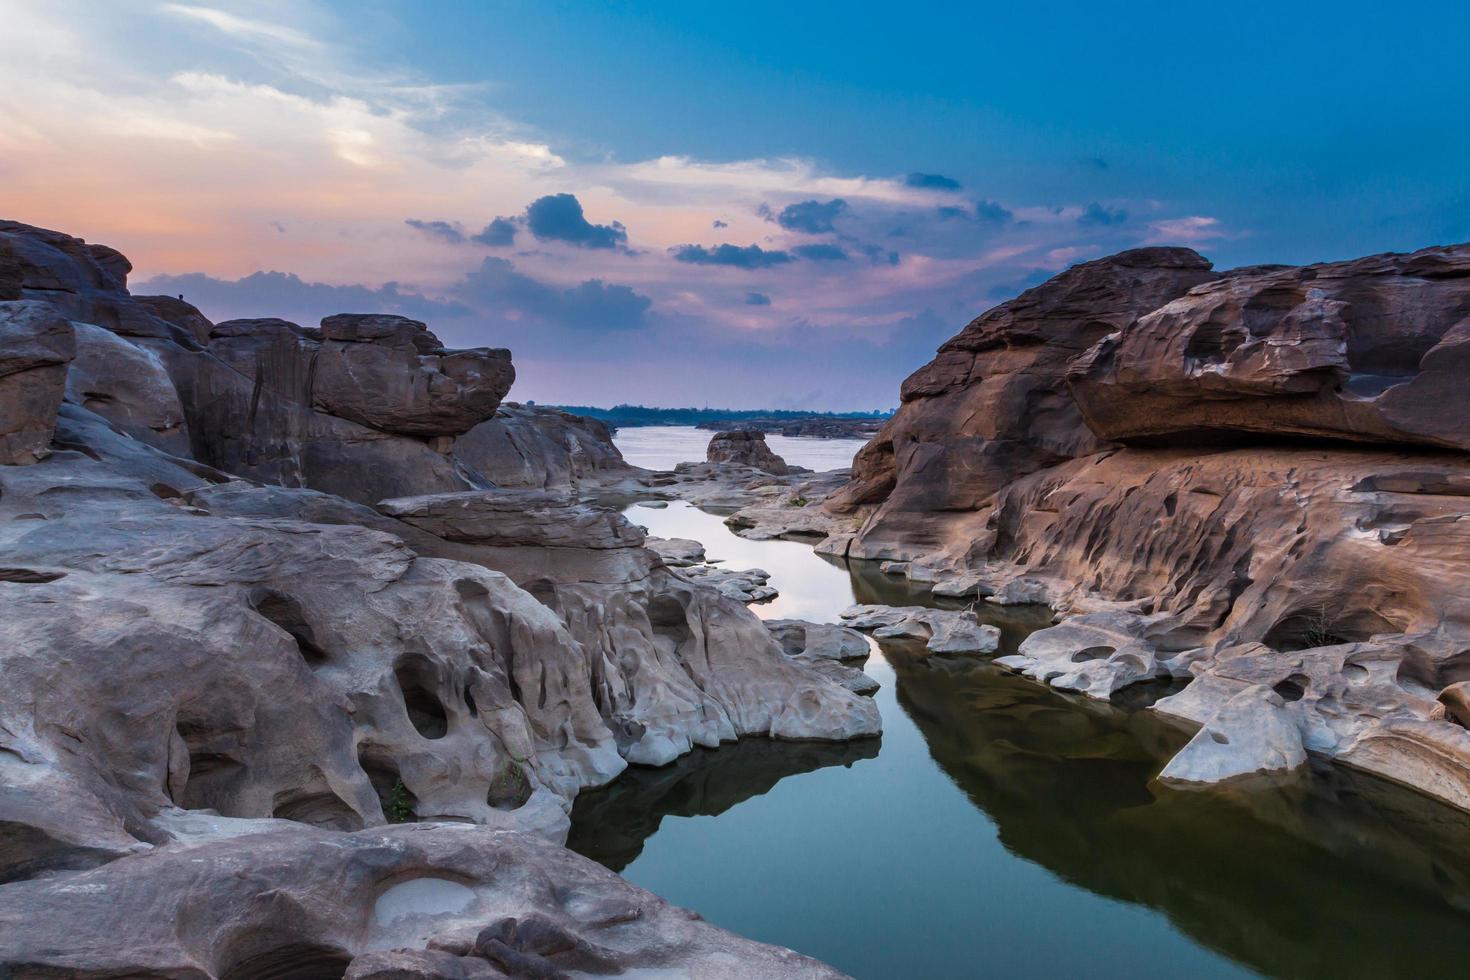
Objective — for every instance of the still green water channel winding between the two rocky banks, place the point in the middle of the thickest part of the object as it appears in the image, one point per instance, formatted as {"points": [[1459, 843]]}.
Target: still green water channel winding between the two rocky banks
{"points": [[1003, 831]]}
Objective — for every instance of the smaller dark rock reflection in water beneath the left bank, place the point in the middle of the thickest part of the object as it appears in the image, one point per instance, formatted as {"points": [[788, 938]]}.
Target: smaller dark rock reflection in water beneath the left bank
{"points": [[611, 825]]}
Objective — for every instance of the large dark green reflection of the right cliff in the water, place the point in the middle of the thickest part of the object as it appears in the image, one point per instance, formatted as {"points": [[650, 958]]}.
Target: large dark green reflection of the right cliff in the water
{"points": [[1327, 876]]}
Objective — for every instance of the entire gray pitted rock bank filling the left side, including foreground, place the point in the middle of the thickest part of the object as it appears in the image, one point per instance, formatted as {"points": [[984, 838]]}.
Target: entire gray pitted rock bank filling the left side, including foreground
{"points": [[262, 588]]}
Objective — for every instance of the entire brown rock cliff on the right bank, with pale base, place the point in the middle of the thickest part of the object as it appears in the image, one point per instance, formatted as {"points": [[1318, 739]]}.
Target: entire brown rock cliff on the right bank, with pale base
{"points": [[1240, 480]]}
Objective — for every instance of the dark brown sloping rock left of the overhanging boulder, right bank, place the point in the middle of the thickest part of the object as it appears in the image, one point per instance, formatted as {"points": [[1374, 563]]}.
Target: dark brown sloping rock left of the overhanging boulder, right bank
{"points": [[994, 403]]}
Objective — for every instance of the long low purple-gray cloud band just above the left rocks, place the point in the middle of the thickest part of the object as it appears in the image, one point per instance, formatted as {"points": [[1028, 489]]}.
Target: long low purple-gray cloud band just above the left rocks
{"points": [[290, 298]]}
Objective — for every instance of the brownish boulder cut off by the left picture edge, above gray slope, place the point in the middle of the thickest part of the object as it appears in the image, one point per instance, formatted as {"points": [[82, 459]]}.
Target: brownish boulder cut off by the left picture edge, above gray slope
{"points": [[36, 347]]}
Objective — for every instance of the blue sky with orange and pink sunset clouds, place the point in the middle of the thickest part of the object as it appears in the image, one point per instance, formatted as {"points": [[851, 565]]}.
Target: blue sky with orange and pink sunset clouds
{"points": [[756, 205]]}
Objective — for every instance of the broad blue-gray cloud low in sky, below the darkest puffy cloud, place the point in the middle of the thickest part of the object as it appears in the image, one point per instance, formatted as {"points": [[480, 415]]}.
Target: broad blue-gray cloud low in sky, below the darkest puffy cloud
{"points": [[590, 306]]}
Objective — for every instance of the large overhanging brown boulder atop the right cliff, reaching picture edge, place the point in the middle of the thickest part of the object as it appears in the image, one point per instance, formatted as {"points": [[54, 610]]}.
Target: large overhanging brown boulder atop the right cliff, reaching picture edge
{"points": [[1372, 350]]}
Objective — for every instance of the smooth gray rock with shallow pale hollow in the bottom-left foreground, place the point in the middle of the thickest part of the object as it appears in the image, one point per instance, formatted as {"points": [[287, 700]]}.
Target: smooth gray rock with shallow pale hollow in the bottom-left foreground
{"points": [[423, 900]]}
